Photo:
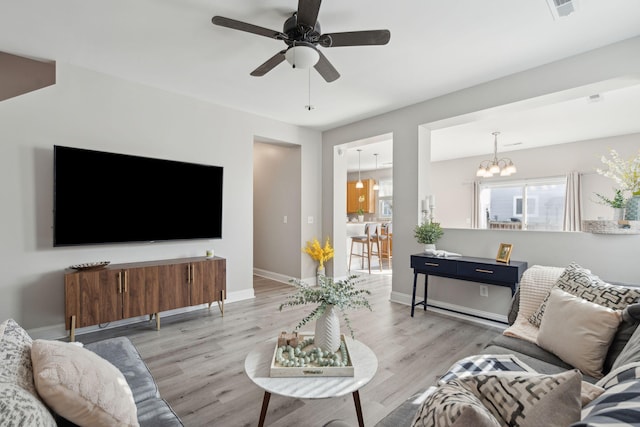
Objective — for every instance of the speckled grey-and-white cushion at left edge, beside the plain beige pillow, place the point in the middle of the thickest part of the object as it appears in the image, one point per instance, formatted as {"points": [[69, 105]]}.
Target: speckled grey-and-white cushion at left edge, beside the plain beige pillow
{"points": [[20, 404]]}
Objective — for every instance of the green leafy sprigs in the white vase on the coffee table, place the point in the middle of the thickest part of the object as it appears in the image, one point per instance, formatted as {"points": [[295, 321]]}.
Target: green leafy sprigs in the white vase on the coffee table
{"points": [[342, 294]]}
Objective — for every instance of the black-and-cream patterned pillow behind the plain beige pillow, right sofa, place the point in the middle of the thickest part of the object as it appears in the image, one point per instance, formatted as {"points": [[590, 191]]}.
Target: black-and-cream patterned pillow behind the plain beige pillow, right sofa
{"points": [[580, 282]]}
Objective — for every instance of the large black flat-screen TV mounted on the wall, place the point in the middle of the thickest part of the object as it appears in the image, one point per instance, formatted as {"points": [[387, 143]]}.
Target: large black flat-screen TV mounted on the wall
{"points": [[102, 197]]}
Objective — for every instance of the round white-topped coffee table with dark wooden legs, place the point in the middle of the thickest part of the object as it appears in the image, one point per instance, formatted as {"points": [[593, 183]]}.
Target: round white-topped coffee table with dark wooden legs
{"points": [[258, 362]]}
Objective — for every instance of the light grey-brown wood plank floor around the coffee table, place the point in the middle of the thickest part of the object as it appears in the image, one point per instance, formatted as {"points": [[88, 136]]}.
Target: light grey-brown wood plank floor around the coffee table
{"points": [[198, 358]]}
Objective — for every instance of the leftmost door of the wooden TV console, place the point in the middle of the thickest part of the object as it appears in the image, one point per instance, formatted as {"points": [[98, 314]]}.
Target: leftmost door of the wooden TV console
{"points": [[94, 297]]}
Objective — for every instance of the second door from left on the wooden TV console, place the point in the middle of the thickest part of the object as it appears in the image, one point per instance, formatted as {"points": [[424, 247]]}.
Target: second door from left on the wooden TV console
{"points": [[140, 291]]}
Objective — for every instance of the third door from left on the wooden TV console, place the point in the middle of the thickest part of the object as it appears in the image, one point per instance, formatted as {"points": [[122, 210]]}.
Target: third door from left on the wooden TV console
{"points": [[173, 286]]}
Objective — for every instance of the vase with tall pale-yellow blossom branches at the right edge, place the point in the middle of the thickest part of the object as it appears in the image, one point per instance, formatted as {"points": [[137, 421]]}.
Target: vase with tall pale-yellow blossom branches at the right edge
{"points": [[626, 174]]}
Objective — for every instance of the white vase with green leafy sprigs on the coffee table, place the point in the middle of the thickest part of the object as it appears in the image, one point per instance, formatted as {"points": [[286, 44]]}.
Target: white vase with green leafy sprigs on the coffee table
{"points": [[330, 296]]}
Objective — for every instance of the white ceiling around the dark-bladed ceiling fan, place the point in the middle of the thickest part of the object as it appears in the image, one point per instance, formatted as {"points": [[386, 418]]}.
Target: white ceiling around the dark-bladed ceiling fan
{"points": [[436, 47]]}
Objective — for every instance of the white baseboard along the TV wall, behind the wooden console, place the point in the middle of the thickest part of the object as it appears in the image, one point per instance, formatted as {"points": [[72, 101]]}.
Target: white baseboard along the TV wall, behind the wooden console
{"points": [[58, 331]]}
